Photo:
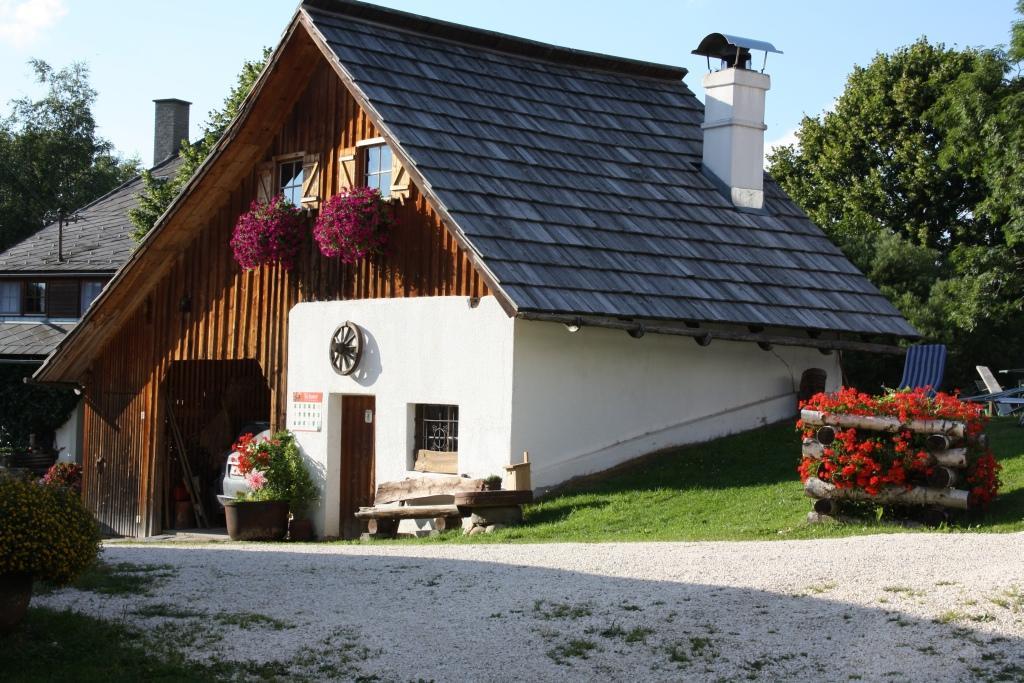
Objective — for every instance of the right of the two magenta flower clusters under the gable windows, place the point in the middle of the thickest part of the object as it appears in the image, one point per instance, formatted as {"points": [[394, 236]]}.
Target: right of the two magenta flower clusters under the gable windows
{"points": [[354, 225]]}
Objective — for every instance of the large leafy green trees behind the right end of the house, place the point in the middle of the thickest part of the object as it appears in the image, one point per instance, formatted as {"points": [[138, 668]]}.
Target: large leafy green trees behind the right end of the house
{"points": [[918, 175]]}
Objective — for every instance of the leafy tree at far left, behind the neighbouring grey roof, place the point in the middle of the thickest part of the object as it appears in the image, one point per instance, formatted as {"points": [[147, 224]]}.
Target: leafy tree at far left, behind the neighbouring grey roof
{"points": [[52, 159]]}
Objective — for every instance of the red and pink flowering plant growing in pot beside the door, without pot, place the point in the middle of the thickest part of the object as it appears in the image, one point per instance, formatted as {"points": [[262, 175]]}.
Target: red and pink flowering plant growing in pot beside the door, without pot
{"points": [[276, 472]]}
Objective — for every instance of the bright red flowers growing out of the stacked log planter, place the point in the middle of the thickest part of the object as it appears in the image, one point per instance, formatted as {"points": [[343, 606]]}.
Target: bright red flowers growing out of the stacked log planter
{"points": [[870, 460]]}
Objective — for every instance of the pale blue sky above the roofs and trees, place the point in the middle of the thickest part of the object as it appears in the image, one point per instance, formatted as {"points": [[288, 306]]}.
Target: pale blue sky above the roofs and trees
{"points": [[144, 50]]}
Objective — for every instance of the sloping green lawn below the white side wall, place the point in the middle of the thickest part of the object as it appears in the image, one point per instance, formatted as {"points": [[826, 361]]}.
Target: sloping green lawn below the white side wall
{"points": [[739, 488]]}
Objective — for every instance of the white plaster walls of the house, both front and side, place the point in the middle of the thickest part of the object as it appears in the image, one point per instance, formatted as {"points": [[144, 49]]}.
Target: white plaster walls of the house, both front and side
{"points": [[580, 402]]}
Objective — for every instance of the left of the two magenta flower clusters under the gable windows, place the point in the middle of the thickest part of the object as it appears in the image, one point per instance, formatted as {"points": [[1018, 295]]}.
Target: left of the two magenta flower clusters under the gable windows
{"points": [[270, 233]]}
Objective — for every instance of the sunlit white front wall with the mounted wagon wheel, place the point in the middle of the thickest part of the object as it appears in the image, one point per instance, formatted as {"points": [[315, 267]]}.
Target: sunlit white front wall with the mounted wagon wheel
{"points": [[421, 351]]}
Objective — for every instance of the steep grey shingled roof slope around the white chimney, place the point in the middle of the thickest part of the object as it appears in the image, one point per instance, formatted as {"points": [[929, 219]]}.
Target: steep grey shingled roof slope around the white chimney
{"points": [[577, 180]]}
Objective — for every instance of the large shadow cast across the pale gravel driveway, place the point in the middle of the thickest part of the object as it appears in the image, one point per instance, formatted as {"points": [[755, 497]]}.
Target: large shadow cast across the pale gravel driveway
{"points": [[403, 618]]}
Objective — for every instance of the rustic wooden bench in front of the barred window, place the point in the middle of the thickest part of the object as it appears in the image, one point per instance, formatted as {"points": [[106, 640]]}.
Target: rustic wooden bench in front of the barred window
{"points": [[396, 501]]}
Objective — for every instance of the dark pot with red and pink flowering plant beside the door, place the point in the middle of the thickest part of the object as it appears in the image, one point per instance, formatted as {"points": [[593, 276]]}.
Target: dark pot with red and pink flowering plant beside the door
{"points": [[279, 483]]}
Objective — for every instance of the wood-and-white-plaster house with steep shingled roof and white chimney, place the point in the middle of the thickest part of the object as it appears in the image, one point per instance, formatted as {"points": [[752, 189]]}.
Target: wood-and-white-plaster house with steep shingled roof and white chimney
{"points": [[579, 272]]}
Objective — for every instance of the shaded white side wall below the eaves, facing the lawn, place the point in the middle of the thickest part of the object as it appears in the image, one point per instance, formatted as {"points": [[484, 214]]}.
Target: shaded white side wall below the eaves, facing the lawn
{"points": [[588, 401]]}
